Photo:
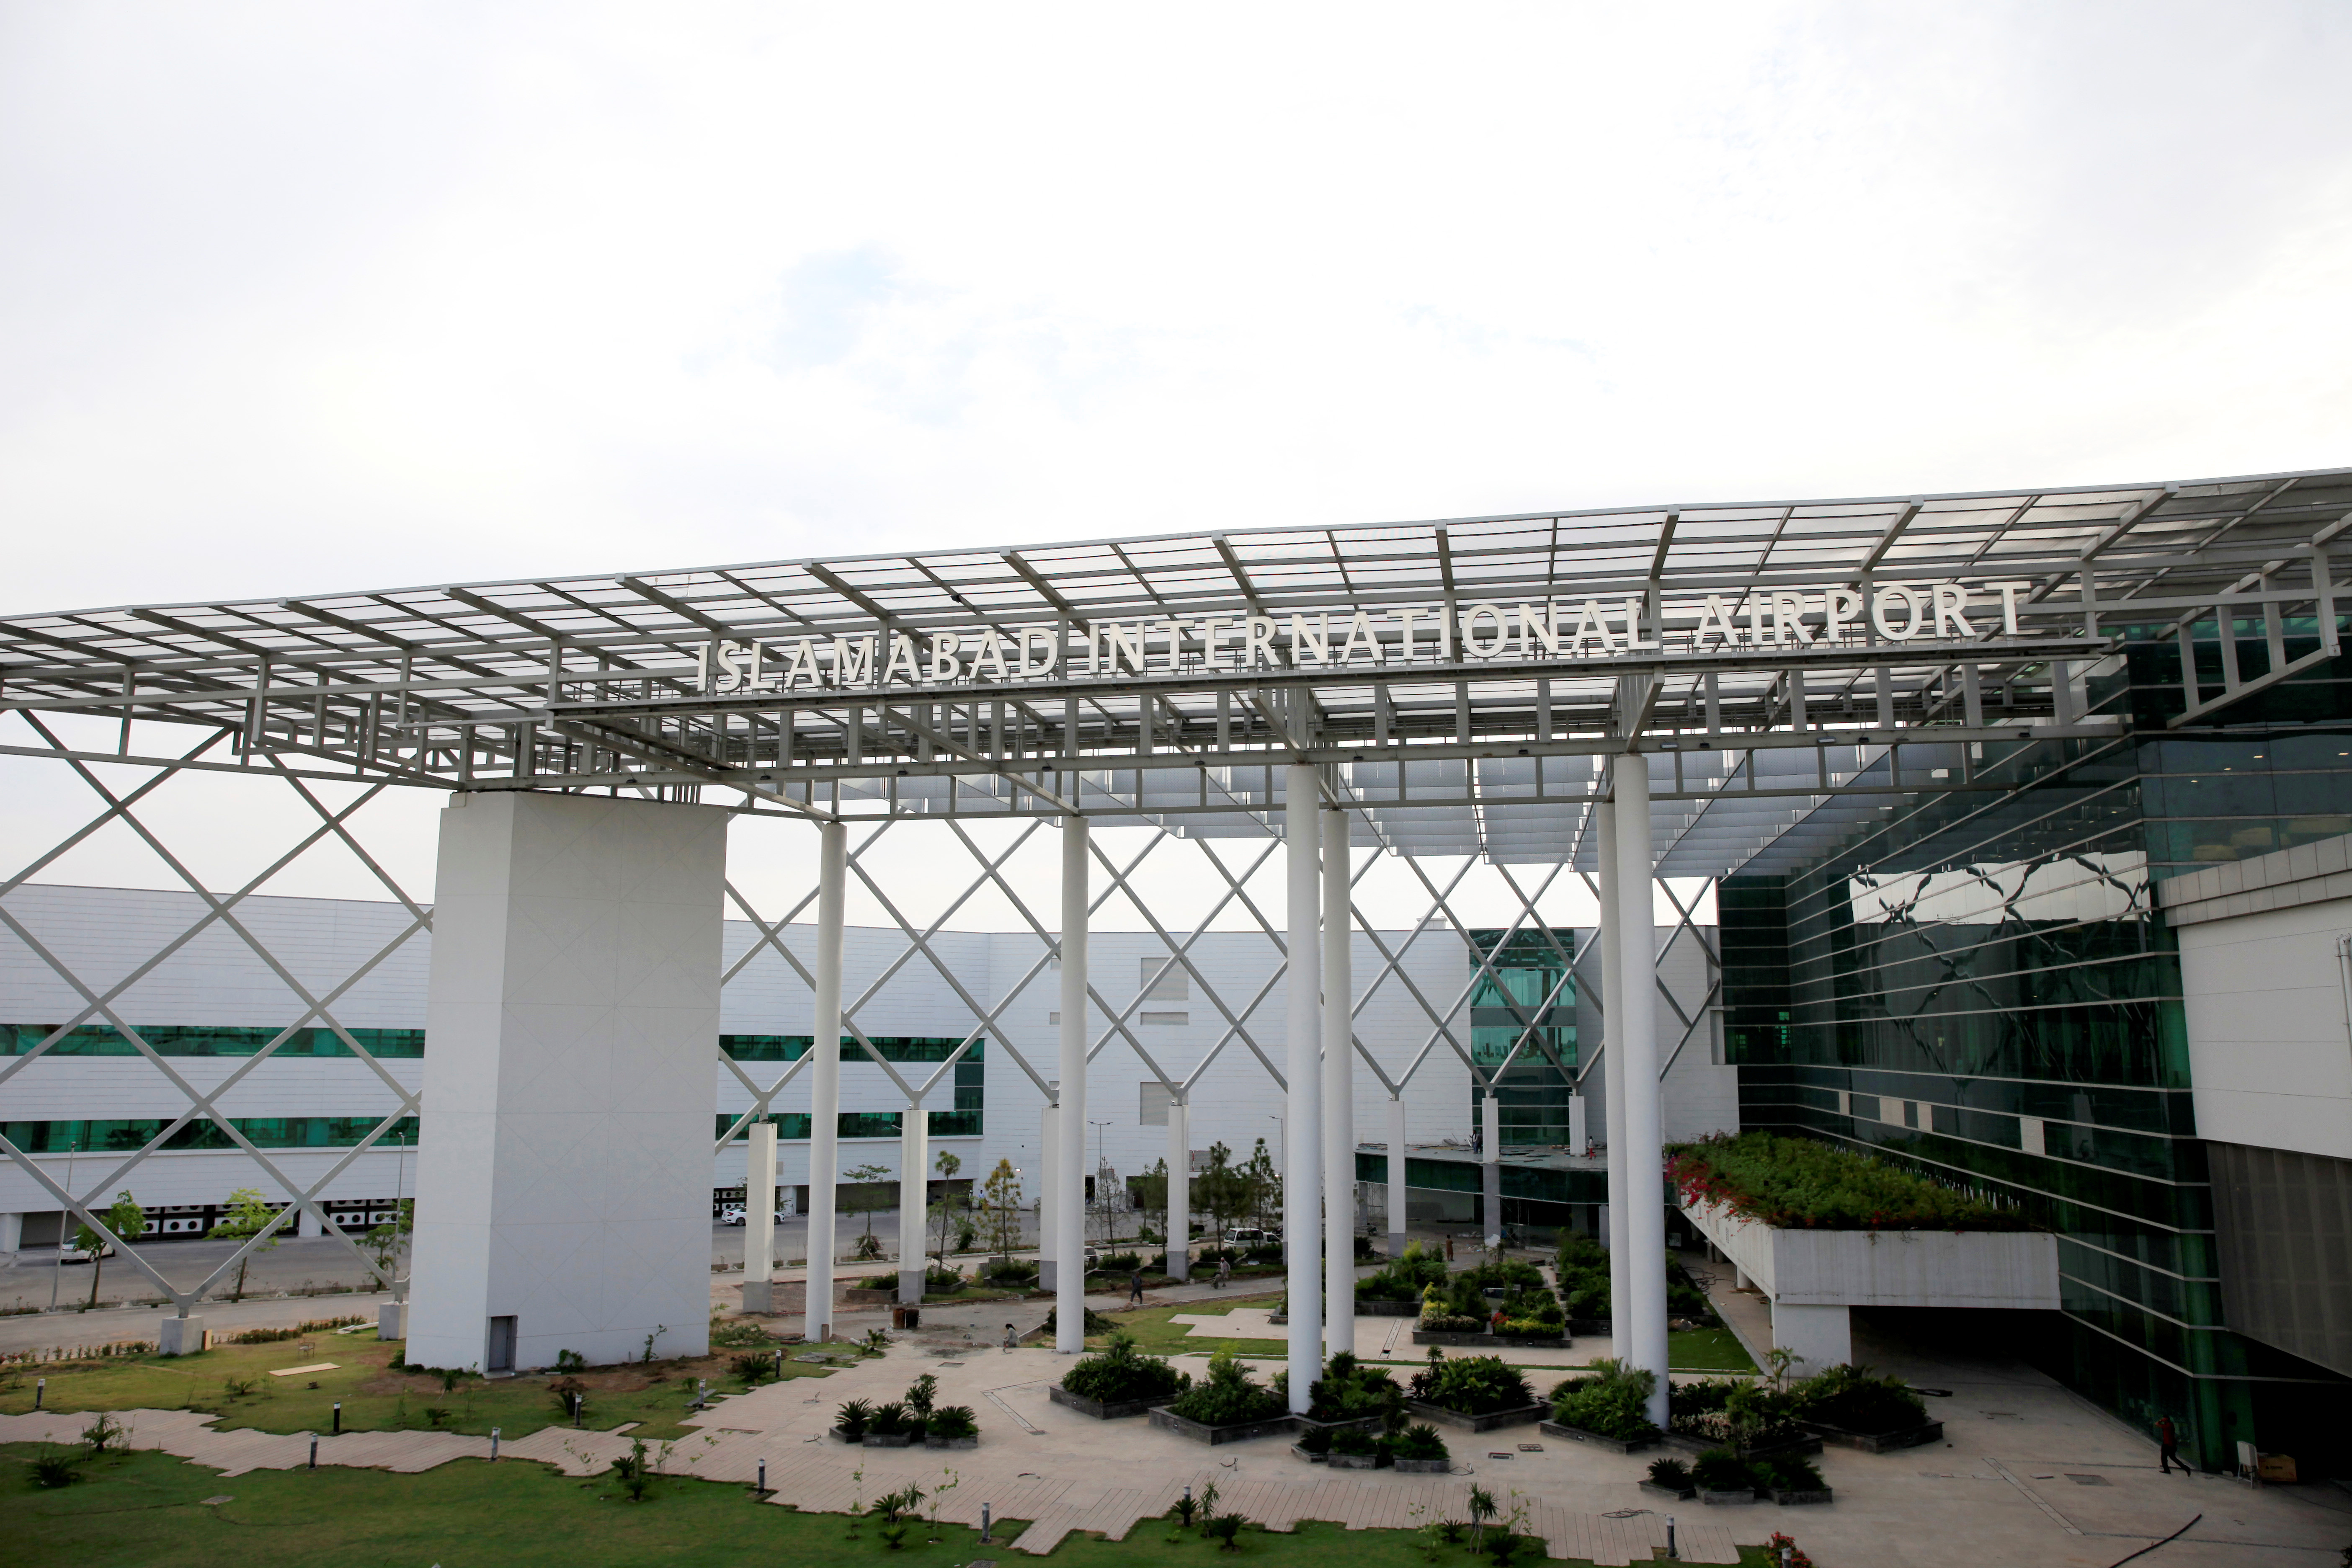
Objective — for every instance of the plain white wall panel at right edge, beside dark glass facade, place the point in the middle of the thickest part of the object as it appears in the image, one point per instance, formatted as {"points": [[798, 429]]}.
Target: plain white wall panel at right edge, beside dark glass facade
{"points": [[2271, 1050]]}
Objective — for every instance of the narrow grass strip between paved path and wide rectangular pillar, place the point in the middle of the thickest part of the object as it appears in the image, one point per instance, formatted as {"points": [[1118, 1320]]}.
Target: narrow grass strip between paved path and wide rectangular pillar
{"points": [[373, 1395]]}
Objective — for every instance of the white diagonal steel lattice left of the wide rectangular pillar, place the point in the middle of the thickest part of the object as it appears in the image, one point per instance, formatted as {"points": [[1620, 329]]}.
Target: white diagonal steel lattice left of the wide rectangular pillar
{"points": [[218, 911]]}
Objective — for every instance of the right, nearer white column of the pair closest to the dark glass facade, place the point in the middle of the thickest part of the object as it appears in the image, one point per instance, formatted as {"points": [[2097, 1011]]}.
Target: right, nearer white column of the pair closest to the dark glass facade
{"points": [[1638, 1031]]}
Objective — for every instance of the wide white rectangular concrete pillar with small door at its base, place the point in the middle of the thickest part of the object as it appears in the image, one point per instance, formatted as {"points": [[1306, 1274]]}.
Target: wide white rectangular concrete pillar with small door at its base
{"points": [[563, 1179]]}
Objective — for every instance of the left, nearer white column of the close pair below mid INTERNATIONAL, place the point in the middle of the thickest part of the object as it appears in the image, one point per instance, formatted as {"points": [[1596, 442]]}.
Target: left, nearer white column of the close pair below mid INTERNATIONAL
{"points": [[1302, 1177]]}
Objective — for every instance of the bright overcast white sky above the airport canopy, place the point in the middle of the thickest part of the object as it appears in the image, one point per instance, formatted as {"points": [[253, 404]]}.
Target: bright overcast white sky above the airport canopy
{"points": [[314, 297]]}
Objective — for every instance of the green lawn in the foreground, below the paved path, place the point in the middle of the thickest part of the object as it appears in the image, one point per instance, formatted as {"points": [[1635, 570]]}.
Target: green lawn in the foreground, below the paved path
{"points": [[147, 1508]]}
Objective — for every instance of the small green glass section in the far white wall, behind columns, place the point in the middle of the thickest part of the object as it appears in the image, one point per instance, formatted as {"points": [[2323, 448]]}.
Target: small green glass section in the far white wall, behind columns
{"points": [[1528, 996]]}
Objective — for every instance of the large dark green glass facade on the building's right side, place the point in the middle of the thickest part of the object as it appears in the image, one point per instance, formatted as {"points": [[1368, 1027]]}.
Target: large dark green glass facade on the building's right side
{"points": [[1977, 984]]}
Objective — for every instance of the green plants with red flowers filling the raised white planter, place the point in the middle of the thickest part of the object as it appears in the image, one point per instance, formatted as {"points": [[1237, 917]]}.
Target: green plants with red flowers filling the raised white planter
{"points": [[1812, 1186]]}
